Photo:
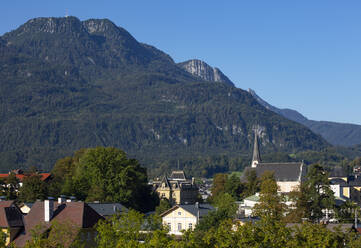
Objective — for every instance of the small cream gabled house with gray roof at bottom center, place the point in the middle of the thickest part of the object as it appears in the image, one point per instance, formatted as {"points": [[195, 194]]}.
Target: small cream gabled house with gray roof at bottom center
{"points": [[184, 217]]}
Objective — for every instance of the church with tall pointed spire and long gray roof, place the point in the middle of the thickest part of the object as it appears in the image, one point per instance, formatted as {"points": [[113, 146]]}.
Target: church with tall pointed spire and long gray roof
{"points": [[288, 175]]}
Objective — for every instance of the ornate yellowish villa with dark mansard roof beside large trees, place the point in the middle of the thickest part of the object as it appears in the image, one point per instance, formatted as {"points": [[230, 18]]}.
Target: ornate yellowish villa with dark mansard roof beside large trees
{"points": [[177, 188]]}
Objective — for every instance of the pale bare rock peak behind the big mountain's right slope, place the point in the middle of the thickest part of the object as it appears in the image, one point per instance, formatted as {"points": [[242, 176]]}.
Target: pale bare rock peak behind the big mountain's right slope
{"points": [[204, 71]]}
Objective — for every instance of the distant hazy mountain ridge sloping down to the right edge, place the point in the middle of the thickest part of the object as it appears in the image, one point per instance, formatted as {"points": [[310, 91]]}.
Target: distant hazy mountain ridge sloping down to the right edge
{"points": [[339, 134]]}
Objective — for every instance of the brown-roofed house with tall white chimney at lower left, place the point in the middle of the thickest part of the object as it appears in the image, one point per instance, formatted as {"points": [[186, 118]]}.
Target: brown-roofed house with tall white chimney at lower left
{"points": [[78, 216]]}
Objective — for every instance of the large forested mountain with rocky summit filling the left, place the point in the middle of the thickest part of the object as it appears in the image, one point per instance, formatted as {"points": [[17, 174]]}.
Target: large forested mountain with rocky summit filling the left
{"points": [[66, 84]]}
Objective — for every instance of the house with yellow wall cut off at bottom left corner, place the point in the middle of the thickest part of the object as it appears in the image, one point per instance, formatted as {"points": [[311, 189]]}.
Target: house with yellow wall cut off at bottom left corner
{"points": [[11, 220]]}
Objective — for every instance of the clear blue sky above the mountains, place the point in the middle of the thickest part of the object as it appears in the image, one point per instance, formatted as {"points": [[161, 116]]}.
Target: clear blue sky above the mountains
{"points": [[304, 55]]}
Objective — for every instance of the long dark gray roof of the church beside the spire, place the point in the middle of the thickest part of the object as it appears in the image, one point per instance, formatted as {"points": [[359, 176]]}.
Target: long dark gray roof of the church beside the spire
{"points": [[293, 171]]}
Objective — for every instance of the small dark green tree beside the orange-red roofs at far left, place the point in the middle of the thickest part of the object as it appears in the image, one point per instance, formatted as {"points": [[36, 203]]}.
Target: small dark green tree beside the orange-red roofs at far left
{"points": [[33, 188]]}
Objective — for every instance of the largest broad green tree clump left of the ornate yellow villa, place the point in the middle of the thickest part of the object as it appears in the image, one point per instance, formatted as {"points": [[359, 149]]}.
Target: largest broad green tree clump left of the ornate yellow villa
{"points": [[107, 175]]}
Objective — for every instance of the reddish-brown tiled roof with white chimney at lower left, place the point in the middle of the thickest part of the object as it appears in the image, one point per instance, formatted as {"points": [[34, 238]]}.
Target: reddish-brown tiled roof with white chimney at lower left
{"points": [[77, 213]]}
